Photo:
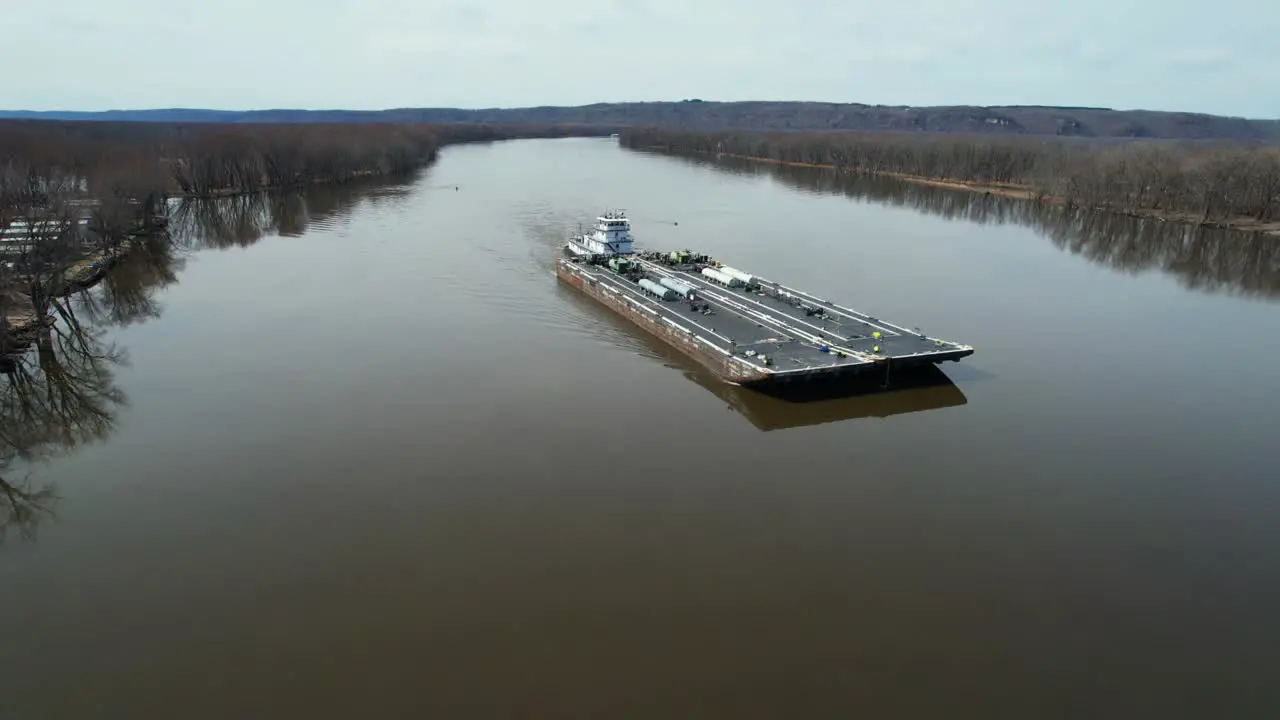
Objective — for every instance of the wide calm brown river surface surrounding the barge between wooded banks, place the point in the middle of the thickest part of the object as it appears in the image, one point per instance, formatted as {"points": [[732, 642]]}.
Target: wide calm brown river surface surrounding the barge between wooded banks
{"points": [[359, 454]]}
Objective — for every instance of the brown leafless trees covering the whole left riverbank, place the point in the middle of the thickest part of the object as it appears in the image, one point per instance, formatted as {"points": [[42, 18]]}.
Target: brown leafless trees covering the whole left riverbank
{"points": [[74, 192]]}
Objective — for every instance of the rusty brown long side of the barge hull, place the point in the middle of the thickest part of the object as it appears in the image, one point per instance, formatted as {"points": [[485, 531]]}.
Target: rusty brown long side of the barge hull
{"points": [[701, 350]]}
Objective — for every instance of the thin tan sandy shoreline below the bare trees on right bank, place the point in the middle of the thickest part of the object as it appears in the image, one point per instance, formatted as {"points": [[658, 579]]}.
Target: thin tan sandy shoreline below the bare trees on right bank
{"points": [[1012, 192]]}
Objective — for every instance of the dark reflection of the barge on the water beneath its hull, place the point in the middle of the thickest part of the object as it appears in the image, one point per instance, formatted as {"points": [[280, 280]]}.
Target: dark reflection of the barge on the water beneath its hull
{"points": [[796, 407]]}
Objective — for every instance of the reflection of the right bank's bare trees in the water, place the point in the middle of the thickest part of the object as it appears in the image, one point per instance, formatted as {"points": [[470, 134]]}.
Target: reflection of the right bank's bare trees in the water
{"points": [[1201, 258]]}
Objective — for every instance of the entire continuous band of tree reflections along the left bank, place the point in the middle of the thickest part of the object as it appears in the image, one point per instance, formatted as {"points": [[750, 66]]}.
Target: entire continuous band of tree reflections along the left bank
{"points": [[62, 394]]}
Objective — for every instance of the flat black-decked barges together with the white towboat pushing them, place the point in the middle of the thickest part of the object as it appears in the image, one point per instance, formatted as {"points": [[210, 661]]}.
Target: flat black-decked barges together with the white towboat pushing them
{"points": [[747, 330]]}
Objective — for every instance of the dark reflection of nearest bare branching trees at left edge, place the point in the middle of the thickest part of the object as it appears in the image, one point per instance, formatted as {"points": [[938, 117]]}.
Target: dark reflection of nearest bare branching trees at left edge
{"points": [[62, 394]]}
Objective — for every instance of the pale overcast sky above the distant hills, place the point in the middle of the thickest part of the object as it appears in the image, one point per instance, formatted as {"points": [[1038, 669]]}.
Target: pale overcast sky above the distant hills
{"points": [[1203, 56]]}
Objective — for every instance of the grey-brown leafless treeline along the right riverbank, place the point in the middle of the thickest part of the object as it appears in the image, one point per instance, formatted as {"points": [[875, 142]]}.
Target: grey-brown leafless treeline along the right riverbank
{"points": [[1192, 181]]}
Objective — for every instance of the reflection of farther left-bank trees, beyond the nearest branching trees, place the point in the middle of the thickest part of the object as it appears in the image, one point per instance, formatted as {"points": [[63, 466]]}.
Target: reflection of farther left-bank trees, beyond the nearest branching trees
{"points": [[241, 221]]}
